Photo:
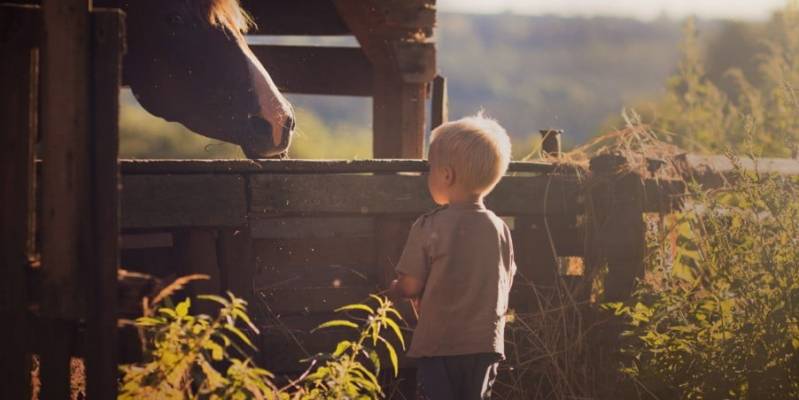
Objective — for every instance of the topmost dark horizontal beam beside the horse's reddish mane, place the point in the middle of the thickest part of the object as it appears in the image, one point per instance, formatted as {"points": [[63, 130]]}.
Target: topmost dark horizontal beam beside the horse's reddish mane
{"points": [[307, 17]]}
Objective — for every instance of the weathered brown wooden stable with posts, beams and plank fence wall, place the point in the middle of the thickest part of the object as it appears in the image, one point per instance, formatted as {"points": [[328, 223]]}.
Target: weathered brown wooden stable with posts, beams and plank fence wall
{"points": [[295, 238]]}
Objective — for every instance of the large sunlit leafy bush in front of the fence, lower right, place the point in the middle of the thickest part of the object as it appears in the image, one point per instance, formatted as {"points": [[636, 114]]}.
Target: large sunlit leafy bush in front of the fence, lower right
{"points": [[718, 315]]}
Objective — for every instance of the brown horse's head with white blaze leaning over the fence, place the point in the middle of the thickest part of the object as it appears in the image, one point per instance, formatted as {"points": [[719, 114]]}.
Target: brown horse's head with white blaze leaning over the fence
{"points": [[187, 61]]}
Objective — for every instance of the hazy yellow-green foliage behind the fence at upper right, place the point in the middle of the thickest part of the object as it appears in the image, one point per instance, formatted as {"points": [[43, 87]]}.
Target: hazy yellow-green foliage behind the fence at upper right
{"points": [[752, 103]]}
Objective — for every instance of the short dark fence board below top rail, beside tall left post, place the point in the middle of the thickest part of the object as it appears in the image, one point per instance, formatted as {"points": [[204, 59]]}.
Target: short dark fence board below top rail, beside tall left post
{"points": [[150, 201]]}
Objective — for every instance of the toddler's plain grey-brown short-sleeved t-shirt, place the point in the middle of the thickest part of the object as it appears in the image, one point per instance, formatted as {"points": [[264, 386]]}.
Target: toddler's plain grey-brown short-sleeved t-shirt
{"points": [[464, 256]]}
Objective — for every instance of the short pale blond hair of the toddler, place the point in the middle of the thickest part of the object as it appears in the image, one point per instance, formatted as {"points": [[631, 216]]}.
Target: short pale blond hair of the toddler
{"points": [[477, 148]]}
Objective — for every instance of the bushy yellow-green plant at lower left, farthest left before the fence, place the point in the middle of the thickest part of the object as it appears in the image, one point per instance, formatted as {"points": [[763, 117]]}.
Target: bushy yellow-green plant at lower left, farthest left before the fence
{"points": [[182, 348]]}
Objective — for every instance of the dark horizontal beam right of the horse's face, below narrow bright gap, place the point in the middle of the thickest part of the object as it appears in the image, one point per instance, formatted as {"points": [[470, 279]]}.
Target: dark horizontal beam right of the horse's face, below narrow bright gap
{"points": [[343, 71]]}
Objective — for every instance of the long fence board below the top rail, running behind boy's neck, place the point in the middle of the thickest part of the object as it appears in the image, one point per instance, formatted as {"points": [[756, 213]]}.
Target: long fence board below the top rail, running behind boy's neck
{"points": [[400, 194]]}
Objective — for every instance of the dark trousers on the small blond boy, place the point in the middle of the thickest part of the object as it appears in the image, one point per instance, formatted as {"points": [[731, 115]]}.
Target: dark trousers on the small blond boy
{"points": [[463, 377]]}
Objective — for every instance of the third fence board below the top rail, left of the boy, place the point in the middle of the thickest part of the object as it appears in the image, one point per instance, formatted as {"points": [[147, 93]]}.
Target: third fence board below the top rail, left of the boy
{"points": [[288, 253]]}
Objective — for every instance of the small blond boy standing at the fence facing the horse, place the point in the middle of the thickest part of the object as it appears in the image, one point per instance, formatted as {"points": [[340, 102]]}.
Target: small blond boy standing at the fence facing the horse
{"points": [[458, 261]]}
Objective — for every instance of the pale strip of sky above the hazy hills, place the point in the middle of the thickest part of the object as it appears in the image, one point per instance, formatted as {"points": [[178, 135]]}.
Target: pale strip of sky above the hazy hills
{"points": [[643, 9]]}
